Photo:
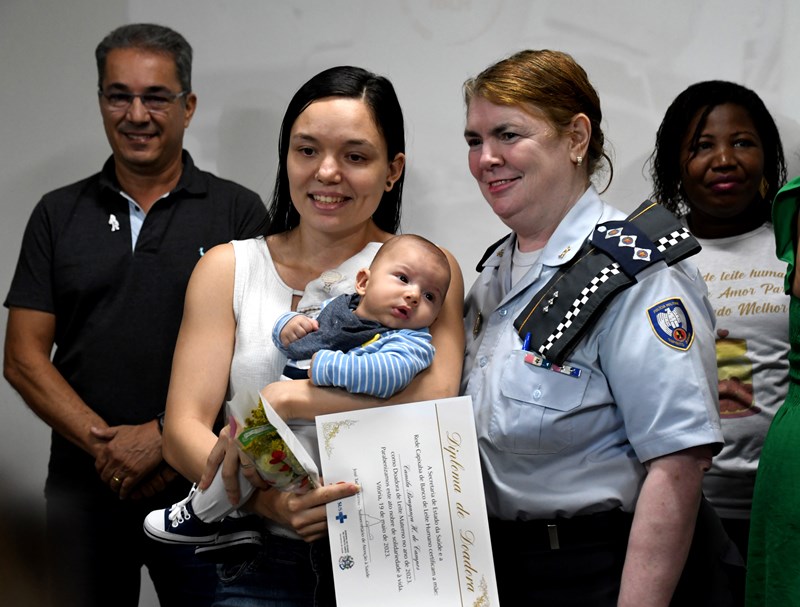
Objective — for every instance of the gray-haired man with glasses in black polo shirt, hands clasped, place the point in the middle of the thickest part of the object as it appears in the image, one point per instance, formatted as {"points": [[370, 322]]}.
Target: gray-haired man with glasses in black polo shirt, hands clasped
{"points": [[102, 275]]}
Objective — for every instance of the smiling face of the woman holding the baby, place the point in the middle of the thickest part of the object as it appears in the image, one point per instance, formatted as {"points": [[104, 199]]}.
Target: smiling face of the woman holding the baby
{"points": [[337, 165]]}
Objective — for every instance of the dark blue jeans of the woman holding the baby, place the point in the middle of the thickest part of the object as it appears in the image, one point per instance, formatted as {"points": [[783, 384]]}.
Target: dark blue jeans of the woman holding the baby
{"points": [[285, 573]]}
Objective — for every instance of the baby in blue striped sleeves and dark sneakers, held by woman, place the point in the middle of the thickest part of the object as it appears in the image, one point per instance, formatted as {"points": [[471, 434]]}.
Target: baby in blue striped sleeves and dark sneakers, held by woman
{"points": [[372, 342]]}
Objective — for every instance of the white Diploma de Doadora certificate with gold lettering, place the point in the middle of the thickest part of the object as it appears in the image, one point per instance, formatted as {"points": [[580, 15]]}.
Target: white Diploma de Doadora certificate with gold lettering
{"points": [[417, 533]]}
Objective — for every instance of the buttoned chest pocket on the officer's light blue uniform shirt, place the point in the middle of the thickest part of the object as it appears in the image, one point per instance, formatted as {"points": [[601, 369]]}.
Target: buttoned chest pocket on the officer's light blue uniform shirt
{"points": [[535, 414]]}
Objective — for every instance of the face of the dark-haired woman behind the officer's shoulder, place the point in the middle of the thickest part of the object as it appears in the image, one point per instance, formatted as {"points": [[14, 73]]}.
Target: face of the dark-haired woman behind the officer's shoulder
{"points": [[722, 172]]}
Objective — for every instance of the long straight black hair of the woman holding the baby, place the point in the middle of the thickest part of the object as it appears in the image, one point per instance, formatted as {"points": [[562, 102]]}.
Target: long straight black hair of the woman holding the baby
{"points": [[379, 96]]}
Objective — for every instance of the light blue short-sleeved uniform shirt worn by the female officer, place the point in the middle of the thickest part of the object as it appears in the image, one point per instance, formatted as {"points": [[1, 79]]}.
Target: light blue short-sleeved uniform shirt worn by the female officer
{"points": [[555, 445]]}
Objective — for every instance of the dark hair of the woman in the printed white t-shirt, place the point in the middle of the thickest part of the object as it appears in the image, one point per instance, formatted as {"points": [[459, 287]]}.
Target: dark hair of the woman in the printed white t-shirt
{"points": [[701, 98]]}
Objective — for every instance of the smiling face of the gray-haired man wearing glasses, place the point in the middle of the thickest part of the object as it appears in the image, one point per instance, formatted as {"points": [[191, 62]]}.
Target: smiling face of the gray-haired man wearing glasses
{"points": [[143, 142]]}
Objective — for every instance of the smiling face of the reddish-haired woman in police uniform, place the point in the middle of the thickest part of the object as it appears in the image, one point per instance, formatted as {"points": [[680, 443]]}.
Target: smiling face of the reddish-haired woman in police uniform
{"points": [[524, 166]]}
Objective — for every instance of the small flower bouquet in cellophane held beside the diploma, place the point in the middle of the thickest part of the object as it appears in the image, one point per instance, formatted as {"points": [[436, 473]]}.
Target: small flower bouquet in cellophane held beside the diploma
{"points": [[269, 443]]}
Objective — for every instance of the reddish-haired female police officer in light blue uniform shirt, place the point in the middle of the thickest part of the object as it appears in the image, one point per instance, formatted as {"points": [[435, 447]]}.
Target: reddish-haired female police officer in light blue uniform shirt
{"points": [[590, 354]]}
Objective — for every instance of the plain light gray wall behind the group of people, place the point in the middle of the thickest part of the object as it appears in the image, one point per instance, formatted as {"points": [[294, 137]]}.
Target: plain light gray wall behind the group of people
{"points": [[251, 55]]}
